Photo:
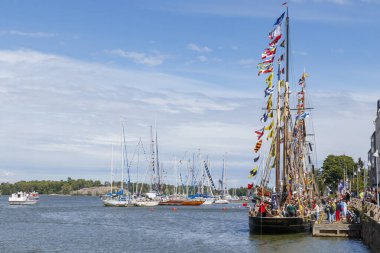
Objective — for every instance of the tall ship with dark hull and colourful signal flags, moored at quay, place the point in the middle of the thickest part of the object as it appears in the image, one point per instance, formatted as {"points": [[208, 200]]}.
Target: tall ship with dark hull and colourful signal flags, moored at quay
{"points": [[283, 189]]}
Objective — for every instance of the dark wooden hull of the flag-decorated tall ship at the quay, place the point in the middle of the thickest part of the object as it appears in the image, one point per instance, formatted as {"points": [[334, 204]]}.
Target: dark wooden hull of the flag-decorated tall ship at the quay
{"points": [[279, 225]]}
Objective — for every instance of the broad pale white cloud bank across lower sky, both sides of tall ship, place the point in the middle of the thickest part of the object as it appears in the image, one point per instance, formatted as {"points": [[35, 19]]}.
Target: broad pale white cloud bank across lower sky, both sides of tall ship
{"points": [[59, 117]]}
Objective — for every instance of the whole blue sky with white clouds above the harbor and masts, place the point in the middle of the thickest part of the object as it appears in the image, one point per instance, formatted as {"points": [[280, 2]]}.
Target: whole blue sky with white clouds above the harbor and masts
{"points": [[70, 69]]}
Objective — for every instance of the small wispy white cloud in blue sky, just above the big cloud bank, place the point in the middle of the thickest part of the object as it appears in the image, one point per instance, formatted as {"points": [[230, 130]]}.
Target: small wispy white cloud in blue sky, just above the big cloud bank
{"points": [[141, 58]]}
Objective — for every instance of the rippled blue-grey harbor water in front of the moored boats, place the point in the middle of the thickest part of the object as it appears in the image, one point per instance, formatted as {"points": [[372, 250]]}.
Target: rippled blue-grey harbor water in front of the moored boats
{"points": [[83, 224]]}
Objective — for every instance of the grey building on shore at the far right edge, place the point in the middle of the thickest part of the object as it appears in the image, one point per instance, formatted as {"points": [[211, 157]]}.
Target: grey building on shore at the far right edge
{"points": [[375, 145]]}
